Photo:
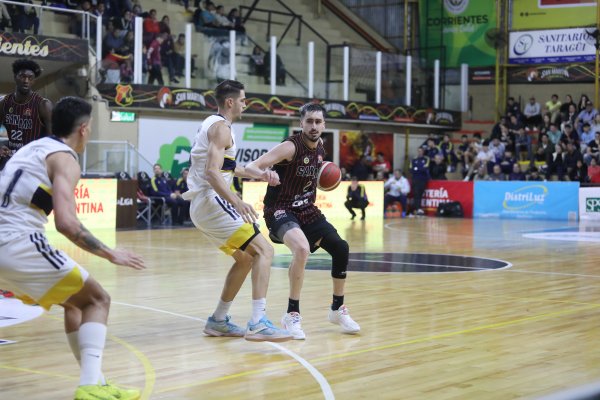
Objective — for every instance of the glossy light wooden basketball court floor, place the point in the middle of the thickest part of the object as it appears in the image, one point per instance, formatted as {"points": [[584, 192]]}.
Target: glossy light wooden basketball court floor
{"points": [[517, 332]]}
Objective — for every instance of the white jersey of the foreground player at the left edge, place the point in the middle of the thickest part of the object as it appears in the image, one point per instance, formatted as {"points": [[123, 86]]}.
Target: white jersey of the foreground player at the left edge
{"points": [[25, 188]]}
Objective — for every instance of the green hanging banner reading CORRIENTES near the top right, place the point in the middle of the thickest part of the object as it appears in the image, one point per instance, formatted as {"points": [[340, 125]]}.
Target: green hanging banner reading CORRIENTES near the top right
{"points": [[460, 31]]}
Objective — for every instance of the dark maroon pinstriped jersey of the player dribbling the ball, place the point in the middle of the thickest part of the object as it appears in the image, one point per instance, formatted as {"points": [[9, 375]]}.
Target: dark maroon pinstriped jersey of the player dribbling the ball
{"points": [[298, 189]]}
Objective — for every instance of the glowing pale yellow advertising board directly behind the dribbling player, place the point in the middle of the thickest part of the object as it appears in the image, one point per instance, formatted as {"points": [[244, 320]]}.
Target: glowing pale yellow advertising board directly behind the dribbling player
{"points": [[331, 203]]}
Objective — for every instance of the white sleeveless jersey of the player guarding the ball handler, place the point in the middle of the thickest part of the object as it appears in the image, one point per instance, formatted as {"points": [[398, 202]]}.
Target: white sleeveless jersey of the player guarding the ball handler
{"points": [[197, 182]]}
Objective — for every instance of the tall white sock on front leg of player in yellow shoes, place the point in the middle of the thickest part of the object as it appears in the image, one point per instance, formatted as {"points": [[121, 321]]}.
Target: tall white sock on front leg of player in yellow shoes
{"points": [[92, 336]]}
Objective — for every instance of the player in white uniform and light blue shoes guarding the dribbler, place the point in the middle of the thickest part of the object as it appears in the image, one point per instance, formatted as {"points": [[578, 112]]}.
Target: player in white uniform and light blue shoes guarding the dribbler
{"points": [[229, 222]]}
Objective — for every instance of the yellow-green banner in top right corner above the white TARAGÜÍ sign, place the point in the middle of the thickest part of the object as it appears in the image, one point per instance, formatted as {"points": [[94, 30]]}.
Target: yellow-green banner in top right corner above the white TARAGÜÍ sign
{"points": [[548, 14]]}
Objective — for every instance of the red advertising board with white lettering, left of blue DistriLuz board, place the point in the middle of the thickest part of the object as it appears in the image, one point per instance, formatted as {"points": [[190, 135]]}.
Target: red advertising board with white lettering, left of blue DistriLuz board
{"points": [[438, 192]]}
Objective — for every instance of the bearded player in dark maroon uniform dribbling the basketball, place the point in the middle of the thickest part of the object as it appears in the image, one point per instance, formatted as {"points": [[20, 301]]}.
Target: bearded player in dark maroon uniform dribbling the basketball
{"points": [[293, 218]]}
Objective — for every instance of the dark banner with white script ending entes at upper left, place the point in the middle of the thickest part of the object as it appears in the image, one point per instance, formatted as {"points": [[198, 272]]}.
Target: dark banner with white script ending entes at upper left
{"points": [[43, 47]]}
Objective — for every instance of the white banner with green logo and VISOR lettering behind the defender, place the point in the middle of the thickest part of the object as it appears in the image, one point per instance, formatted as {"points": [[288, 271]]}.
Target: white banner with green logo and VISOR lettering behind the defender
{"points": [[169, 142]]}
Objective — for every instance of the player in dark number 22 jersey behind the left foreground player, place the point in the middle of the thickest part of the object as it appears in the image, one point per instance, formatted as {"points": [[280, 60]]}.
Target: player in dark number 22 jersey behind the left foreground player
{"points": [[25, 114]]}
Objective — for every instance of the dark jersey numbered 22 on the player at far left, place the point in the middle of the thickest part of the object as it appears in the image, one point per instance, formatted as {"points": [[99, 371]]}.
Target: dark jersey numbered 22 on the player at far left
{"points": [[22, 121]]}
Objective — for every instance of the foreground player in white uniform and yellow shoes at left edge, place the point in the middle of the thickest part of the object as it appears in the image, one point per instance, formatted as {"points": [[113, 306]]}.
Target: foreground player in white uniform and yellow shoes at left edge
{"points": [[39, 178]]}
